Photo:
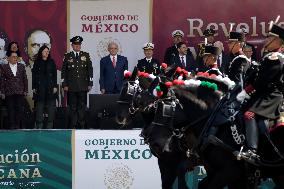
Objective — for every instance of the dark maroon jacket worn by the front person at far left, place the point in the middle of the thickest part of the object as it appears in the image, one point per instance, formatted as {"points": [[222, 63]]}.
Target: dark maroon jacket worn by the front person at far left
{"points": [[12, 85]]}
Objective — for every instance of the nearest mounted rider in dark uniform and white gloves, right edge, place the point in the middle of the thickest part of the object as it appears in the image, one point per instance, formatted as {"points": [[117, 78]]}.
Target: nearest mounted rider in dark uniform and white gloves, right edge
{"points": [[264, 94]]}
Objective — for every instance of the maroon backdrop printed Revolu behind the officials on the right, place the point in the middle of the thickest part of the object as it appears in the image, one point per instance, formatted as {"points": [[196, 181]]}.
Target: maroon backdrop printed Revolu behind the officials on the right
{"points": [[193, 17]]}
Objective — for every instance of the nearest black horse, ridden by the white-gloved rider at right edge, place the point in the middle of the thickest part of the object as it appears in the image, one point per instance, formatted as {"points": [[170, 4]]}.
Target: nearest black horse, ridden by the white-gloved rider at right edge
{"points": [[195, 106]]}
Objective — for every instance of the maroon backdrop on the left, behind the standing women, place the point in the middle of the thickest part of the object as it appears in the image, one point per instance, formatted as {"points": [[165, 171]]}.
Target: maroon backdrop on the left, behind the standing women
{"points": [[21, 18]]}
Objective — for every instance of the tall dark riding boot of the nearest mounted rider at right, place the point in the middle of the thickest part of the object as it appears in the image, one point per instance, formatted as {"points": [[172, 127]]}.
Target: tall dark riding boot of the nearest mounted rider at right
{"points": [[252, 134]]}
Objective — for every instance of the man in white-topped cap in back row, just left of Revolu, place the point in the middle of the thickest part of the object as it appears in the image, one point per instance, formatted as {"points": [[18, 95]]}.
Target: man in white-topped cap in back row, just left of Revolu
{"points": [[172, 51]]}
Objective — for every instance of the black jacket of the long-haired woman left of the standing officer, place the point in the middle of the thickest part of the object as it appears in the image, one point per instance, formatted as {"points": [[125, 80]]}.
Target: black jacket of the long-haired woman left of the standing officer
{"points": [[44, 79]]}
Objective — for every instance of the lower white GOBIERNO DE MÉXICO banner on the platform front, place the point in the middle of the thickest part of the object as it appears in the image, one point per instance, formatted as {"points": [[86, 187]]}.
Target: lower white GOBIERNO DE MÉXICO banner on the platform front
{"points": [[106, 159]]}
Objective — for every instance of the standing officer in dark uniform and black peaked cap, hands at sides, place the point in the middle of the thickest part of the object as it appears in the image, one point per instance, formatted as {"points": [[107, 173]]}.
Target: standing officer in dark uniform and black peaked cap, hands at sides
{"points": [[77, 80]]}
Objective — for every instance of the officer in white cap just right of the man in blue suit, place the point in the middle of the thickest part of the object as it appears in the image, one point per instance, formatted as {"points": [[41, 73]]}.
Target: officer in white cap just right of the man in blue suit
{"points": [[149, 64]]}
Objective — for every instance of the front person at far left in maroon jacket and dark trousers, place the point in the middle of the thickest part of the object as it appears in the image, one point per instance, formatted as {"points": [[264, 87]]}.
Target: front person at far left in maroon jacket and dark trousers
{"points": [[14, 86]]}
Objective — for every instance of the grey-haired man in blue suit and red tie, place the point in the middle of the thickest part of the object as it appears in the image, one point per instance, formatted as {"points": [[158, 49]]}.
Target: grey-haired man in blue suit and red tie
{"points": [[112, 69]]}
